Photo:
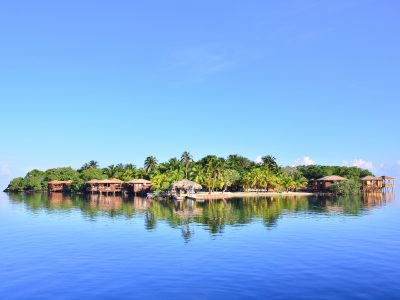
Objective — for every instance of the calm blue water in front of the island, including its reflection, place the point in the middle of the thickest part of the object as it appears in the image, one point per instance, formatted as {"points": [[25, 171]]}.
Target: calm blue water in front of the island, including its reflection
{"points": [[277, 248]]}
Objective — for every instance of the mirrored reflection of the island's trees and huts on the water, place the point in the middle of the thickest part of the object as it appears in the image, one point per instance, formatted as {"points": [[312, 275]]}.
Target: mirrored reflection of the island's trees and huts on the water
{"points": [[214, 215]]}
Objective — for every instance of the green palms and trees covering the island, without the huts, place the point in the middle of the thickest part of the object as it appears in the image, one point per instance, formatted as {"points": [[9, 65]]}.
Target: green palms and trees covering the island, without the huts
{"points": [[233, 173]]}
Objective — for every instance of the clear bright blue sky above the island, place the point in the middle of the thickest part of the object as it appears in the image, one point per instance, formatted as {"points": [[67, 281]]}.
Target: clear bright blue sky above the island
{"points": [[116, 81]]}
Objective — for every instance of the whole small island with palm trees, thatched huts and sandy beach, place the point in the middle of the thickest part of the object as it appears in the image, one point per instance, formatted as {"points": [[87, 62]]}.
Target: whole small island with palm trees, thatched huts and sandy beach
{"points": [[211, 177]]}
